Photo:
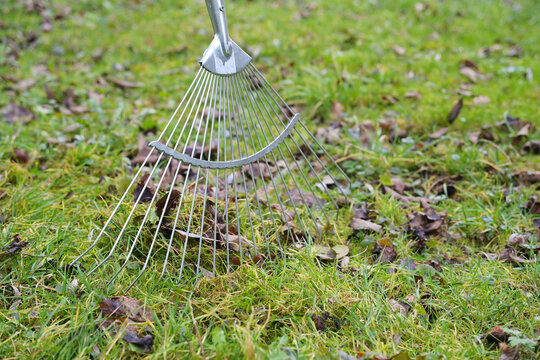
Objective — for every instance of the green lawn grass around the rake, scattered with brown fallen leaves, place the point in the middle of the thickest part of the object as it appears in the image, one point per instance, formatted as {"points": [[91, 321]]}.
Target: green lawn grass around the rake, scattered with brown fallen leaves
{"points": [[318, 54]]}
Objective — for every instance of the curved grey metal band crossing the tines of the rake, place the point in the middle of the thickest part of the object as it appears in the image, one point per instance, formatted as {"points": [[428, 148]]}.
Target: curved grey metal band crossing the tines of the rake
{"points": [[231, 163]]}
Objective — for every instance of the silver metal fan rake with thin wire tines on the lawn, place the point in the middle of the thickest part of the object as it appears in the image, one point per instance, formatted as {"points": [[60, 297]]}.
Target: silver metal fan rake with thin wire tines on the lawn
{"points": [[234, 176]]}
